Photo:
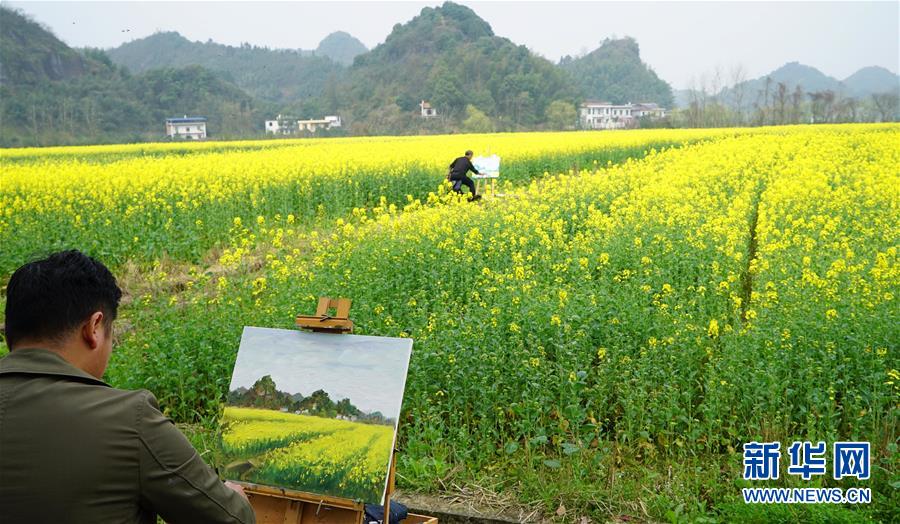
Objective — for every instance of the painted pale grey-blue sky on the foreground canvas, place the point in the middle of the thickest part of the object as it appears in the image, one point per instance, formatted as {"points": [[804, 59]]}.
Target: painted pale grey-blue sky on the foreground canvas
{"points": [[370, 371]]}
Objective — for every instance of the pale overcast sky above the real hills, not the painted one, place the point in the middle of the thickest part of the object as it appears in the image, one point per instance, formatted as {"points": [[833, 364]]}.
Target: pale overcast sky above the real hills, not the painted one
{"points": [[681, 41]]}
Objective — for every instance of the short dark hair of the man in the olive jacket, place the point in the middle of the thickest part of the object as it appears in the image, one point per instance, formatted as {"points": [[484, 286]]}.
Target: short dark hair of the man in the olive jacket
{"points": [[47, 298]]}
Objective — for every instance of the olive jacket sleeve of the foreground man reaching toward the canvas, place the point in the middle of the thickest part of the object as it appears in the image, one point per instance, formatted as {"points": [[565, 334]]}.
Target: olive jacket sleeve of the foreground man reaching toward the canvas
{"points": [[175, 482]]}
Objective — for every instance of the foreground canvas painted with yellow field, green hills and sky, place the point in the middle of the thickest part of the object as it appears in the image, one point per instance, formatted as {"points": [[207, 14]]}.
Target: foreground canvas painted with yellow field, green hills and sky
{"points": [[315, 412]]}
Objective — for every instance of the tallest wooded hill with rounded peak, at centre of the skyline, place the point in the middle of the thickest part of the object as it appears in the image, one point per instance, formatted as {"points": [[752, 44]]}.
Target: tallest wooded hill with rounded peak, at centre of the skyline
{"points": [[451, 58]]}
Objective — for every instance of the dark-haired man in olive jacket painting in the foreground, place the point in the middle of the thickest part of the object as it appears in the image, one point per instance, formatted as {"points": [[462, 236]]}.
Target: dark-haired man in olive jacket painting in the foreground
{"points": [[72, 448]]}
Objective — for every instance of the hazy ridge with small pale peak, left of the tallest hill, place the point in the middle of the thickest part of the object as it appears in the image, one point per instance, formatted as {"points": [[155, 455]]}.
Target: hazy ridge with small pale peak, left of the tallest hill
{"points": [[284, 76]]}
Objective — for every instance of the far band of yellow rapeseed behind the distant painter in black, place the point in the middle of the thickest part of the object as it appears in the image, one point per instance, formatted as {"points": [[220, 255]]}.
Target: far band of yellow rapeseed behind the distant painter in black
{"points": [[148, 200]]}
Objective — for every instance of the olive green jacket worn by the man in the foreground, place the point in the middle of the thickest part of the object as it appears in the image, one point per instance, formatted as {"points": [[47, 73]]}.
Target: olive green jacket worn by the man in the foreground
{"points": [[74, 449]]}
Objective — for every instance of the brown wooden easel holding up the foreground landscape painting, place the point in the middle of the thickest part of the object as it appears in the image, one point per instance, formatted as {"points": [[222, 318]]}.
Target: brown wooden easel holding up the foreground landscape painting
{"points": [[284, 506]]}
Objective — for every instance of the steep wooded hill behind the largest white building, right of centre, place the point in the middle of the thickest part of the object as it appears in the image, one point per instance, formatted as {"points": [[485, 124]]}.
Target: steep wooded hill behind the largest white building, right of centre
{"points": [[615, 73]]}
